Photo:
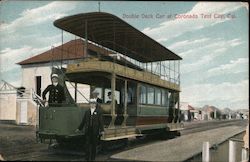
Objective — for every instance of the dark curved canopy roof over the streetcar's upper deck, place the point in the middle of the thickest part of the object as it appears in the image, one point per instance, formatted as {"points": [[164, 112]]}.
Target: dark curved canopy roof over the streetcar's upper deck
{"points": [[112, 32]]}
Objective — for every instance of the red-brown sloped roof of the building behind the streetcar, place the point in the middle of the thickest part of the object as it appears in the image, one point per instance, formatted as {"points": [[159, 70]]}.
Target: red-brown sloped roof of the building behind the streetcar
{"points": [[71, 50]]}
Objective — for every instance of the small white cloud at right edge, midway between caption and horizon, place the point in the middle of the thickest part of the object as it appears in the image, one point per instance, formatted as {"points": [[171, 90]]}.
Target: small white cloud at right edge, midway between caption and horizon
{"points": [[234, 66]]}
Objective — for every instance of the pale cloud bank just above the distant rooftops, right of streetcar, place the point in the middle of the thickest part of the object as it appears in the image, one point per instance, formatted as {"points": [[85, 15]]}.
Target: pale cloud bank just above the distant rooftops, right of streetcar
{"points": [[225, 93]]}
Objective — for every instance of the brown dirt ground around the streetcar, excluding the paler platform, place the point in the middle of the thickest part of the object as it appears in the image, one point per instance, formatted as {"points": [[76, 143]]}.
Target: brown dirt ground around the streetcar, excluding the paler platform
{"points": [[19, 143]]}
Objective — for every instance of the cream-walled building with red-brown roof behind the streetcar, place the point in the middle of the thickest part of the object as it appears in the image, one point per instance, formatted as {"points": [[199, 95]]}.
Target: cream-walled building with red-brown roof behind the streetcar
{"points": [[36, 72]]}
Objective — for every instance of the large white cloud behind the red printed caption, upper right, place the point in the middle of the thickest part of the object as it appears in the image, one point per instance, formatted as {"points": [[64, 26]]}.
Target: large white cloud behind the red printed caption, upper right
{"points": [[178, 26]]}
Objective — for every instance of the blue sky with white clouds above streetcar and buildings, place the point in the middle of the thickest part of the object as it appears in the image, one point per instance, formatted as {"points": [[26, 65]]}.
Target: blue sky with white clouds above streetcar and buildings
{"points": [[215, 52]]}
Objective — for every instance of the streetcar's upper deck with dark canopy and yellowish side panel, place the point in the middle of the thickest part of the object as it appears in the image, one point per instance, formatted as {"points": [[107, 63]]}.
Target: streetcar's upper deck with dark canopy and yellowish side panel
{"points": [[132, 49]]}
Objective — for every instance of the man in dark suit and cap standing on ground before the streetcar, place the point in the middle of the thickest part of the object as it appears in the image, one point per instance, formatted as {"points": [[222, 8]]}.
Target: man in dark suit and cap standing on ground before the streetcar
{"points": [[92, 123]]}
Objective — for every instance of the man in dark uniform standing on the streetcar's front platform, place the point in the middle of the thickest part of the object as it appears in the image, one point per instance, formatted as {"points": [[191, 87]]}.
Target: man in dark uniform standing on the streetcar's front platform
{"points": [[56, 92]]}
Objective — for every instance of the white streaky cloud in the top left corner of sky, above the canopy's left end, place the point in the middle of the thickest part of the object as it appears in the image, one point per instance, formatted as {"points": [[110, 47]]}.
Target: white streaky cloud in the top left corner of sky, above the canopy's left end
{"points": [[30, 17]]}
